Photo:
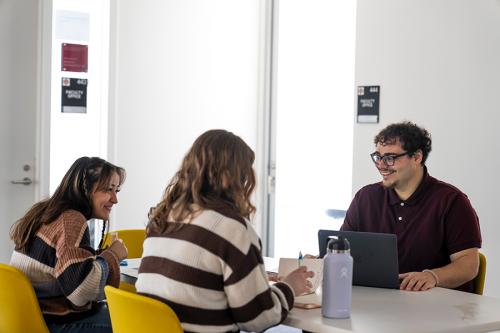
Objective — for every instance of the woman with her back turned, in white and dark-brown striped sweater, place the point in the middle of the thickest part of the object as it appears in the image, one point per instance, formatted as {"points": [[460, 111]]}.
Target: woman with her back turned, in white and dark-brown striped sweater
{"points": [[201, 255]]}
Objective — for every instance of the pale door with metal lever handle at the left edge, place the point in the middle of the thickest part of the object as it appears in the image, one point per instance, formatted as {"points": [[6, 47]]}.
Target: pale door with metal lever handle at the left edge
{"points": [[18, 113]]}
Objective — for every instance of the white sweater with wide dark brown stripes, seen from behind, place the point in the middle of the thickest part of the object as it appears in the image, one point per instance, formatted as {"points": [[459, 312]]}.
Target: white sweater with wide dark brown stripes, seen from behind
{"points": [[211, 273]]}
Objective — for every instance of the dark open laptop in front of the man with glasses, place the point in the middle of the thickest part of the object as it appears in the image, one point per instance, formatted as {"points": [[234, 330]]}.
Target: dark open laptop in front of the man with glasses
{"points": [[375, 257]]}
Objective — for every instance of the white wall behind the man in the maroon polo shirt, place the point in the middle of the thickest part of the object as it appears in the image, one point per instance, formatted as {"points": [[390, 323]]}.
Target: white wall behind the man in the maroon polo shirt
{"points": [[437, 63]]}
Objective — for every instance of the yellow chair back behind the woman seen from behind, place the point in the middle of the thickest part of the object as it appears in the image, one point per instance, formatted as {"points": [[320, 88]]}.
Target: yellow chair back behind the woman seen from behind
{"points": [[132, 313]]}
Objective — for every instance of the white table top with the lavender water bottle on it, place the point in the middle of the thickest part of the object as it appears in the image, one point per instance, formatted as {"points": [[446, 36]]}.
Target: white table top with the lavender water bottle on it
{"points": [[395, 311]]}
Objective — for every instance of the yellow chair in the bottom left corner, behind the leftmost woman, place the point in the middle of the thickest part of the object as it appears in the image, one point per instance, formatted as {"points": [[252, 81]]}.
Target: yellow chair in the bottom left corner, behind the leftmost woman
{"points": [[19, 309]]}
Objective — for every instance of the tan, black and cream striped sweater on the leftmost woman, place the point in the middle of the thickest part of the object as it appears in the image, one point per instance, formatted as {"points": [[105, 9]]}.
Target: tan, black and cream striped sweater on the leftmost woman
{"points": [[67, 276]]}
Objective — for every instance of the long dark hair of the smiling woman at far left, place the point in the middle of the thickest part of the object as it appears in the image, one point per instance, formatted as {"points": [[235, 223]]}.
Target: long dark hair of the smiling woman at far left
{"points": [[84, 177]]}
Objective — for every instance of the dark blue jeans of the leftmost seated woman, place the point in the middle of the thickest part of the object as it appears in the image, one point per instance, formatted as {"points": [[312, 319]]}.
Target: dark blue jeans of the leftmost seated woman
{"points": [[99, 322]]}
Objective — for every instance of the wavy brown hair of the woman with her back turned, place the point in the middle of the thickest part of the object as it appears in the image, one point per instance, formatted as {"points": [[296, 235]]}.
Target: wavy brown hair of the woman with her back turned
{"points": [[215, 174]]}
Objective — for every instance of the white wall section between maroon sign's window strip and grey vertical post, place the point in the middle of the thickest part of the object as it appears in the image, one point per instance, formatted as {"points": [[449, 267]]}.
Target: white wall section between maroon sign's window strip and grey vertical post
{"points": [[179, 67]]}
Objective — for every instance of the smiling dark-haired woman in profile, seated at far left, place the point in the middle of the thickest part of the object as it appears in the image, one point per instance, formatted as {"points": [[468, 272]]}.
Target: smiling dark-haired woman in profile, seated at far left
{"points": [[52, 247]]}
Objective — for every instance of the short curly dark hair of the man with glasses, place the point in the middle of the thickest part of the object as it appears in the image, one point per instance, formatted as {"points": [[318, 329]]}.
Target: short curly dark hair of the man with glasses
{"points": [[411, 137]]}
